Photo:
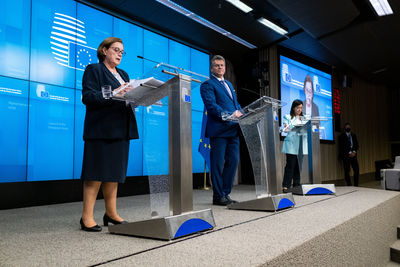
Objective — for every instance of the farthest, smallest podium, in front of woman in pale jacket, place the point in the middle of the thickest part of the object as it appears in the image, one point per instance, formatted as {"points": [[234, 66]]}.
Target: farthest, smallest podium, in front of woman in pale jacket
{"points": [[309, 160]]}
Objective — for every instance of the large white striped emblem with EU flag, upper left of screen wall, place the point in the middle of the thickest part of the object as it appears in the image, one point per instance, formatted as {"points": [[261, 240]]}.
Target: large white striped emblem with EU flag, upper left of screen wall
{"points": [[68, 43]]}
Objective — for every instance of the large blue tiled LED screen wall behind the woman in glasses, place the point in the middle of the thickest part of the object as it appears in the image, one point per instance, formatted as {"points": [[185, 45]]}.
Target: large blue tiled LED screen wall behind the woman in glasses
{"points": [[46, 46]]}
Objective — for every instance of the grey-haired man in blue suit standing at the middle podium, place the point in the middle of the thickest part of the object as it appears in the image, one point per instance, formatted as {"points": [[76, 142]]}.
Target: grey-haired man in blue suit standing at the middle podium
{"points": [[220, 98]]}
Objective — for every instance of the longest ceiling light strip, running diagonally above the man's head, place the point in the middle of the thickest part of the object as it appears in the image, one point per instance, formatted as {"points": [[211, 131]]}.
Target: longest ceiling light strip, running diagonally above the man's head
{"points": [[197, 18]]}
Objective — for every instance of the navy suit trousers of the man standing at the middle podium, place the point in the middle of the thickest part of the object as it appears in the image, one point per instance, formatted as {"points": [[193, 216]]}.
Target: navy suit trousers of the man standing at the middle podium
{"points": [[224, 157]]}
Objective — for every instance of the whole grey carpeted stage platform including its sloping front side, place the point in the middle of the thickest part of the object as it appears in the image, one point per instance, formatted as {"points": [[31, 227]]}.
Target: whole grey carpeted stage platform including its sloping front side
{"points": [[354, 228]]}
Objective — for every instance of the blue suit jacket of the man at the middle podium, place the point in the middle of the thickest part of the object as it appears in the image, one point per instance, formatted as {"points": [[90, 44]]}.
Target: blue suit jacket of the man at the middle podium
{"points": [[217, 100]]}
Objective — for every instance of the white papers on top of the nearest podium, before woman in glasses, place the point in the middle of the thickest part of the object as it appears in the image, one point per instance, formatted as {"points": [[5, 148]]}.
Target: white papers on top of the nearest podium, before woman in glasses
{"points": [[145, 92]]}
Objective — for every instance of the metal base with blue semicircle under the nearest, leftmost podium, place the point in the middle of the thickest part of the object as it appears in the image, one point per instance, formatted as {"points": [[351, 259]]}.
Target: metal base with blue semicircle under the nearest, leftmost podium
{"points": [[168, 228]]}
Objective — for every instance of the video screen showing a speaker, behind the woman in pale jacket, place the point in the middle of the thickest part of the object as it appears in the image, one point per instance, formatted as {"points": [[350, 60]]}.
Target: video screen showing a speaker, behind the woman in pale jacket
{"points": [[313, 87]]}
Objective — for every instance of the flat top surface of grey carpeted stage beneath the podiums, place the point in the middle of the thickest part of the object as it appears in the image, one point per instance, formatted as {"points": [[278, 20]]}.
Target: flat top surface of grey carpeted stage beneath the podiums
{"points": [[50, 235]]}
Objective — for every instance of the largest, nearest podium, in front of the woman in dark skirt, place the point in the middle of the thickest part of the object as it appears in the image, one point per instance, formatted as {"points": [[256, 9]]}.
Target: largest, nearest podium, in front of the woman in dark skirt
{"points": [[182, 220]]}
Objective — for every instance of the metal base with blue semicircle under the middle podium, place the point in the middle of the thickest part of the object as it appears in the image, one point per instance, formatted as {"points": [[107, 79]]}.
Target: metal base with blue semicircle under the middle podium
{"points": [[271, 203]]}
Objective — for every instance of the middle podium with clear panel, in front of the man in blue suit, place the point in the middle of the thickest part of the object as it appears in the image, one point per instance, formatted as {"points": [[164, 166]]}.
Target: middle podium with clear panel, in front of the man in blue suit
{"points": [[260, 127]]}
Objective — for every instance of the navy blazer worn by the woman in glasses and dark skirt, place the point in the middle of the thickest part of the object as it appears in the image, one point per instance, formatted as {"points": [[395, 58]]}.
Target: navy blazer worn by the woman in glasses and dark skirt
{"points": [[105, 118]]}
